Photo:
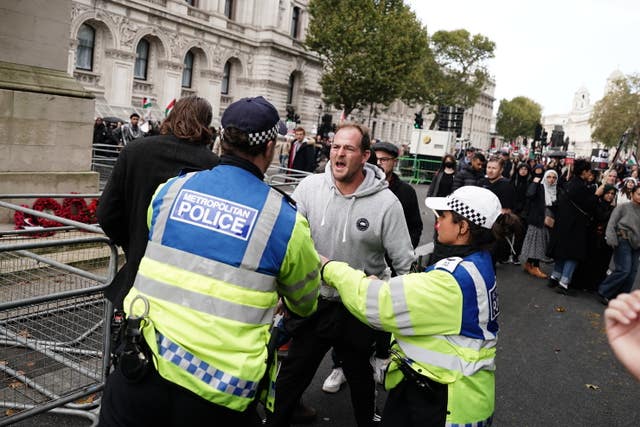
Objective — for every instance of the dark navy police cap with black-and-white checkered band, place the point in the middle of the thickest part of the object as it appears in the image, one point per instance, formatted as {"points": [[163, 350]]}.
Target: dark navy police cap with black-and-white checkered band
{"points": [[255, 116]]}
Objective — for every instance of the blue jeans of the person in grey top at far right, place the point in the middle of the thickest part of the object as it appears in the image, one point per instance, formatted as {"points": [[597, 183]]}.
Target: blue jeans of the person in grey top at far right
{"points": [[621, 279]]}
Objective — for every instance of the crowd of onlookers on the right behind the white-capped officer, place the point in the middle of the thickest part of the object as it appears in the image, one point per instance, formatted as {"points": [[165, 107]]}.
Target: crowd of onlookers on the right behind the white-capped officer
{"points": [[569, 213]]}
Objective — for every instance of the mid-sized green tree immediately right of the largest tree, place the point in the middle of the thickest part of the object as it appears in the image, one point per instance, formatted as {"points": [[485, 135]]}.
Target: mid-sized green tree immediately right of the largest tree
{"points": [[452, 73]]}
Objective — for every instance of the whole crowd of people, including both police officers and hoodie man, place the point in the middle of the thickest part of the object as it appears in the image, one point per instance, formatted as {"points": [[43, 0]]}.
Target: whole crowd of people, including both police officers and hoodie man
{"points": [[214, 255]]}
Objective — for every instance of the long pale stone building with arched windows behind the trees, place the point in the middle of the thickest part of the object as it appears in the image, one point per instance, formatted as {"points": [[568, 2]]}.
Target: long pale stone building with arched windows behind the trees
{"points": [[126, 50]]}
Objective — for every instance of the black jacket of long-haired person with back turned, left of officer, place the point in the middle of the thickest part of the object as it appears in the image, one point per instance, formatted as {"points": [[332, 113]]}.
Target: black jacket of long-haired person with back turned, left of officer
{"points": [[142, 166]]}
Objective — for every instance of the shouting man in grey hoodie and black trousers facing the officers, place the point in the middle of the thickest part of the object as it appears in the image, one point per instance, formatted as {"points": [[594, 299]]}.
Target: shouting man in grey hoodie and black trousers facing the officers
{"points": [[355, 219]]}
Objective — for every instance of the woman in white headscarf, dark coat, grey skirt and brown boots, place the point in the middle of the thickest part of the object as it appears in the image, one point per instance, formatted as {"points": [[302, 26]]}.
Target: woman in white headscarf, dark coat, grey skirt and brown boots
{"points": [[542, 195]]}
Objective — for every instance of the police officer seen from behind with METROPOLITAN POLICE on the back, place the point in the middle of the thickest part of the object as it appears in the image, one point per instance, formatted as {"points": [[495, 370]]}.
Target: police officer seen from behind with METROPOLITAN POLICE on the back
{"points": [[222, 247]]}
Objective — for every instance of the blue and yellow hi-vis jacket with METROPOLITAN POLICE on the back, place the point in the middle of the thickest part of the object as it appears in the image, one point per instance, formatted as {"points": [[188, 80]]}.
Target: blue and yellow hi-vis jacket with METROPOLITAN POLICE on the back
{"points": [[222, 245]]}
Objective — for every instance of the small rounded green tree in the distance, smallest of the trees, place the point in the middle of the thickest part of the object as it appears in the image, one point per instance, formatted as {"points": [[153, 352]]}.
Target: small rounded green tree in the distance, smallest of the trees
{"points": [[518, 117]]}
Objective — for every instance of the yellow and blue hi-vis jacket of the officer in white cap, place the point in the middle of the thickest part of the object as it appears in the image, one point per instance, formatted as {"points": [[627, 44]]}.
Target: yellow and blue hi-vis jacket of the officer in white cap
{"points": [[444, 320]]}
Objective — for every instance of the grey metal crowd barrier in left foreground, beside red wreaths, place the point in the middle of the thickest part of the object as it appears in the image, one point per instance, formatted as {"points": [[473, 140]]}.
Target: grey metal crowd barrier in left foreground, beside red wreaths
{"points": [[54, 319]]}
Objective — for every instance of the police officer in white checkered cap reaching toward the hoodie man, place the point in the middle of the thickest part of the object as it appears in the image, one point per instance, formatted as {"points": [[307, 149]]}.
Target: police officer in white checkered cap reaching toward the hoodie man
{"points": [[444, 320]]}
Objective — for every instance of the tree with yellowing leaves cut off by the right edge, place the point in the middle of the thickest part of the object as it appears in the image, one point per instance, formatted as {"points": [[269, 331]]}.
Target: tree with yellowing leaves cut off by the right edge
{"points": [[617, 112]]}
